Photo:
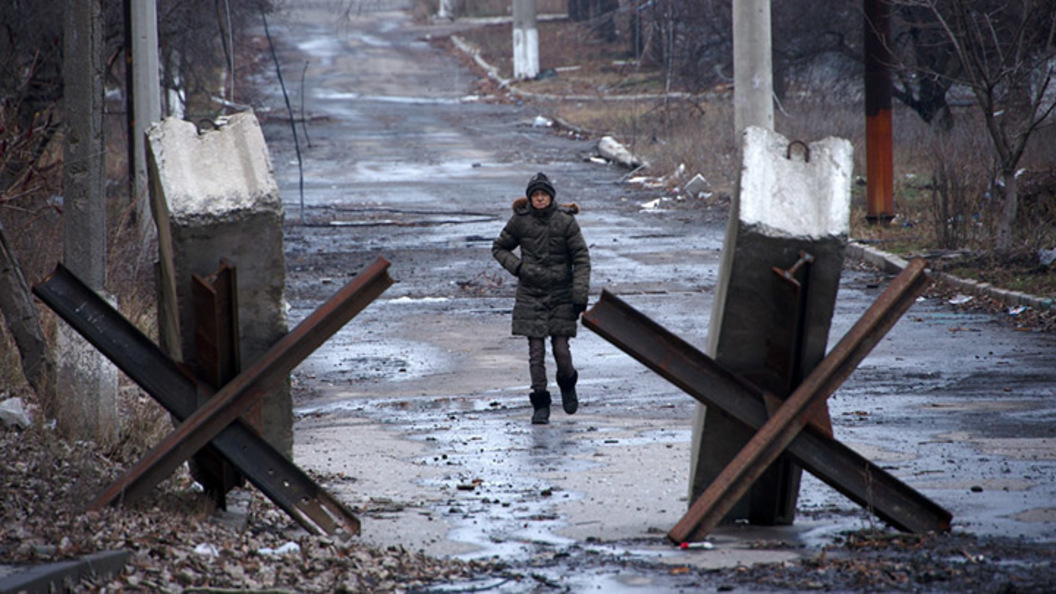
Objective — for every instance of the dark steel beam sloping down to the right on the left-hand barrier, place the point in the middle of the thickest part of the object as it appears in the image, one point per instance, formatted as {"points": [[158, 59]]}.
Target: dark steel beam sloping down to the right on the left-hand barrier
{"points": [[139, 358]]}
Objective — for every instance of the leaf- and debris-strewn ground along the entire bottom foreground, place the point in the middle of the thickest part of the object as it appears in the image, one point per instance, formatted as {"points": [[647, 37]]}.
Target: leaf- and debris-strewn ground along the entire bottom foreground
{"points": [[180, 545]]}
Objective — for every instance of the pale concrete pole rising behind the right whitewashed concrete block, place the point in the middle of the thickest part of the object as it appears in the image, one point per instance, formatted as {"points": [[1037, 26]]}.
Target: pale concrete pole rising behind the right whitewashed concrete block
{"points": [[753, 83]]}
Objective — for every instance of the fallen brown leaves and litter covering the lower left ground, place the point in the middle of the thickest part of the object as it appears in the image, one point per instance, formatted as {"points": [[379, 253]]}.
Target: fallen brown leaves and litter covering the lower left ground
{"points": [[177, 543]]}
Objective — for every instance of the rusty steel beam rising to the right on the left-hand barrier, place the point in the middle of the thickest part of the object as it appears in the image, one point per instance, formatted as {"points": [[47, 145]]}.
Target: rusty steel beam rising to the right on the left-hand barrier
{"points": [[235, 398]]}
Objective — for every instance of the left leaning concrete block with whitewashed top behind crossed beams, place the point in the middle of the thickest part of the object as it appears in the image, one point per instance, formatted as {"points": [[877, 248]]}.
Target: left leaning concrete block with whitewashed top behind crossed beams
{"points": [[215, 196]]}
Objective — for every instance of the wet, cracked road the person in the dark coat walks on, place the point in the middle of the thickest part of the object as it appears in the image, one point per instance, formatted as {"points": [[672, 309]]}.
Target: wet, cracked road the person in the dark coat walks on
{"points": [[417, 414]]}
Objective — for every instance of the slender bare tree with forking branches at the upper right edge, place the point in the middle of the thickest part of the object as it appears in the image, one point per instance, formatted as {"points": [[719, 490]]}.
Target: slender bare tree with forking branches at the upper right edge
{"points": [[1007, 52]]}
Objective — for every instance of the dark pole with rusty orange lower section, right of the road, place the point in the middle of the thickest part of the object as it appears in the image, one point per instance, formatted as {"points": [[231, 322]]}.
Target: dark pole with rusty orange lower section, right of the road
{"points": [[880, 171]]}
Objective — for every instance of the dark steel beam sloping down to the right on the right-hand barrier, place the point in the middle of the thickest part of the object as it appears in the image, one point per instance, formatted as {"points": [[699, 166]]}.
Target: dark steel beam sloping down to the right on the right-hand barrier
{"points": [[712, 384]]}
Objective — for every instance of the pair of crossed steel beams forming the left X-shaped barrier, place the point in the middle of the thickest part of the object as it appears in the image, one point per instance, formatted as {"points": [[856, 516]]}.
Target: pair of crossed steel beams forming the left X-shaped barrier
{"points": [[218, 420]]}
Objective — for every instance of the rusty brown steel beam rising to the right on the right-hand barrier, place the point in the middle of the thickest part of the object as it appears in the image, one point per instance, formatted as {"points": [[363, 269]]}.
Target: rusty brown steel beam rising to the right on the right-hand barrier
{"points": [[772, 439]]}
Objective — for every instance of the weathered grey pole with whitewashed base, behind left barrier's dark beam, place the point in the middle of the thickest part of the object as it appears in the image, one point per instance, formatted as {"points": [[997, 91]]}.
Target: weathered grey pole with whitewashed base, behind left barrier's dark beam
{"points": [[87, 383]]}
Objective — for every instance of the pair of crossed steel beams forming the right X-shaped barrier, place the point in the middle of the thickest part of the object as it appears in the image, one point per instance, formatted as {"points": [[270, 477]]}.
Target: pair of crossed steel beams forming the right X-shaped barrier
{"points": [[788, 430]]}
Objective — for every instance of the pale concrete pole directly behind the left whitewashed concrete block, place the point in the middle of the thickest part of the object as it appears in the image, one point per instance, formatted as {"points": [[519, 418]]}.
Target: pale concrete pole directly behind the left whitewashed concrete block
{"points": [[146, 106]]}
